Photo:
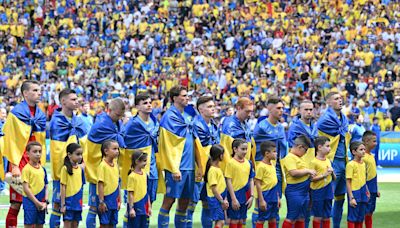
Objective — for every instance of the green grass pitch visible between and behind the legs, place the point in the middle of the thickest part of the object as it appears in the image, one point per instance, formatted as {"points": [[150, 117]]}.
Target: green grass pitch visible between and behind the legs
{"points": [[386, 215]]}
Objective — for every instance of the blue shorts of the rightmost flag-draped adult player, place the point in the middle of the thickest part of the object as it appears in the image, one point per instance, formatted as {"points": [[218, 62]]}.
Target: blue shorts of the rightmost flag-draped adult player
{"points": [[339, 185]]}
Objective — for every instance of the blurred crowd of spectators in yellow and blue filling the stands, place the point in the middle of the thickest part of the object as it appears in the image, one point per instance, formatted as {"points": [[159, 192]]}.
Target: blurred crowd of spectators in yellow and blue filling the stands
{"points": [[296, 49]]}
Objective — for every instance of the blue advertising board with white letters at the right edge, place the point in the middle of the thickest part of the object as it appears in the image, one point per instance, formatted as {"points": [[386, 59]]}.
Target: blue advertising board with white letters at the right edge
{"points": [[389, 149]]}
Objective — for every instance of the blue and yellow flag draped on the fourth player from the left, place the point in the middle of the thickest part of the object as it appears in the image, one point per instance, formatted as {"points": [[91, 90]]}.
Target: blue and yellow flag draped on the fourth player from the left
{"points": [[140, 136]]}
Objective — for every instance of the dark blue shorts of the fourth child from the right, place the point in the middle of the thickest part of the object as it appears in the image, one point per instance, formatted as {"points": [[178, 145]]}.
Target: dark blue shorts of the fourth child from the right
{"points": [[296, 207]]}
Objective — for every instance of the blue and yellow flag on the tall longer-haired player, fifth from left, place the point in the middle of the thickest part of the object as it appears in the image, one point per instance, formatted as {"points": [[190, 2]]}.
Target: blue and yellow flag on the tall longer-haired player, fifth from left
{"points": [[172, 139]]}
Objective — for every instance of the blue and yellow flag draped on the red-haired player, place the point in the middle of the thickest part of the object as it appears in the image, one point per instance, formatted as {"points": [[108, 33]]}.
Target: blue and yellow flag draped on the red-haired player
{"points": [[232, 129]]}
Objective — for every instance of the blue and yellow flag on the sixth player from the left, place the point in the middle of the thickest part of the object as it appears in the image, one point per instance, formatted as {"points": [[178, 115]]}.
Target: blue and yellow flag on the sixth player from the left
{"points": [[206, 135]]}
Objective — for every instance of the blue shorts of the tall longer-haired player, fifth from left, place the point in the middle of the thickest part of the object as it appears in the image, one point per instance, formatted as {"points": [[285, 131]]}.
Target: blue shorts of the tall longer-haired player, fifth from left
{"points": [[180, 189]]}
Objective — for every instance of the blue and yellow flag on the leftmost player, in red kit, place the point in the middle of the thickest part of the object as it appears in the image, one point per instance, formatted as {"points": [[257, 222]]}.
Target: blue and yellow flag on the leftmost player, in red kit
{"points": [[19, 127]]}
